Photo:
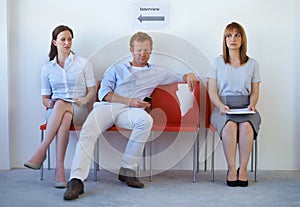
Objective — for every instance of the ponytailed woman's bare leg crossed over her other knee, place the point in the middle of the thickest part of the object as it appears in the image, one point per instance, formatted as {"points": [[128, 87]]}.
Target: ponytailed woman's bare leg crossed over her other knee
{"points": [[53, 124]]}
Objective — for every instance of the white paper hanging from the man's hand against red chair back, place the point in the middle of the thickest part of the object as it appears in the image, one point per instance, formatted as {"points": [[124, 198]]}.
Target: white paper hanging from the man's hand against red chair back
{"points": [[185, 98]]}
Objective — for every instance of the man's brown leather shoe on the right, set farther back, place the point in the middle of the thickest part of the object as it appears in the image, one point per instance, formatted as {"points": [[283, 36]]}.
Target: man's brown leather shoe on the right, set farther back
{"points": [[128, 176]]}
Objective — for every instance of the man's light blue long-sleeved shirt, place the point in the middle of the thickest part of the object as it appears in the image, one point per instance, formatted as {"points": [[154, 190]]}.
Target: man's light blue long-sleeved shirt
{"points": [[135, 82]]}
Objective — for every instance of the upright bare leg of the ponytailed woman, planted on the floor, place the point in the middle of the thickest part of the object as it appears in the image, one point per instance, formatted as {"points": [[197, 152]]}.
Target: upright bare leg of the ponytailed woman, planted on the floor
{"points": [[62, 139]]}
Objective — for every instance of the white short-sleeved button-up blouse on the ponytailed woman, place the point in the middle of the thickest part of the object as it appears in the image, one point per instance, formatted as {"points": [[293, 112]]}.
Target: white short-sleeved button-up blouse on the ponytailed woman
{"points": [[68, 82]]}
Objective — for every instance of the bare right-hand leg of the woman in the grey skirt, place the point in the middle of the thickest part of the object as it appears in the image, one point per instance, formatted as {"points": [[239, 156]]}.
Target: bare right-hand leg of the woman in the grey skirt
{"points": [[245, 147]]}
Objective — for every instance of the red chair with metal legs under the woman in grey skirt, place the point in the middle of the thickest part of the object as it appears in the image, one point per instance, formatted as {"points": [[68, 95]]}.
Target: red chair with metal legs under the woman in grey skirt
{"points": [[208, 126]]}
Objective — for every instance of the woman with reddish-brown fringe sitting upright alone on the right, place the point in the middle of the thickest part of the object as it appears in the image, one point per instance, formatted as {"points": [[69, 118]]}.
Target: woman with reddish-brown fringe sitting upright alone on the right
{"points": [[233, 84]]}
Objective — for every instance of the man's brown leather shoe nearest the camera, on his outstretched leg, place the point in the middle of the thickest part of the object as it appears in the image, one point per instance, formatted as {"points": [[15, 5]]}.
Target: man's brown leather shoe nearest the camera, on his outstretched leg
{"points": [[74, 189]]}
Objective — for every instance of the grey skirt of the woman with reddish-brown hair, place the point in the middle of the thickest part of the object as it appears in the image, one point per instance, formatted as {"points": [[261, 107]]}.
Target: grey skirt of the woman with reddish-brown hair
{"points": [[219, 120]]}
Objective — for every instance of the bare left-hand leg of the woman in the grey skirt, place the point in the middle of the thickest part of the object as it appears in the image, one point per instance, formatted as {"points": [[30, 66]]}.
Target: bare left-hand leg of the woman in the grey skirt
{"points": [[229, 140]]}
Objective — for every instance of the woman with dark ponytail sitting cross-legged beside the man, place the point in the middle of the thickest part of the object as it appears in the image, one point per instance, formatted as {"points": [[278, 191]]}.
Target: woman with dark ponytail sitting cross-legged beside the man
{"points": [[67, 85]]}
